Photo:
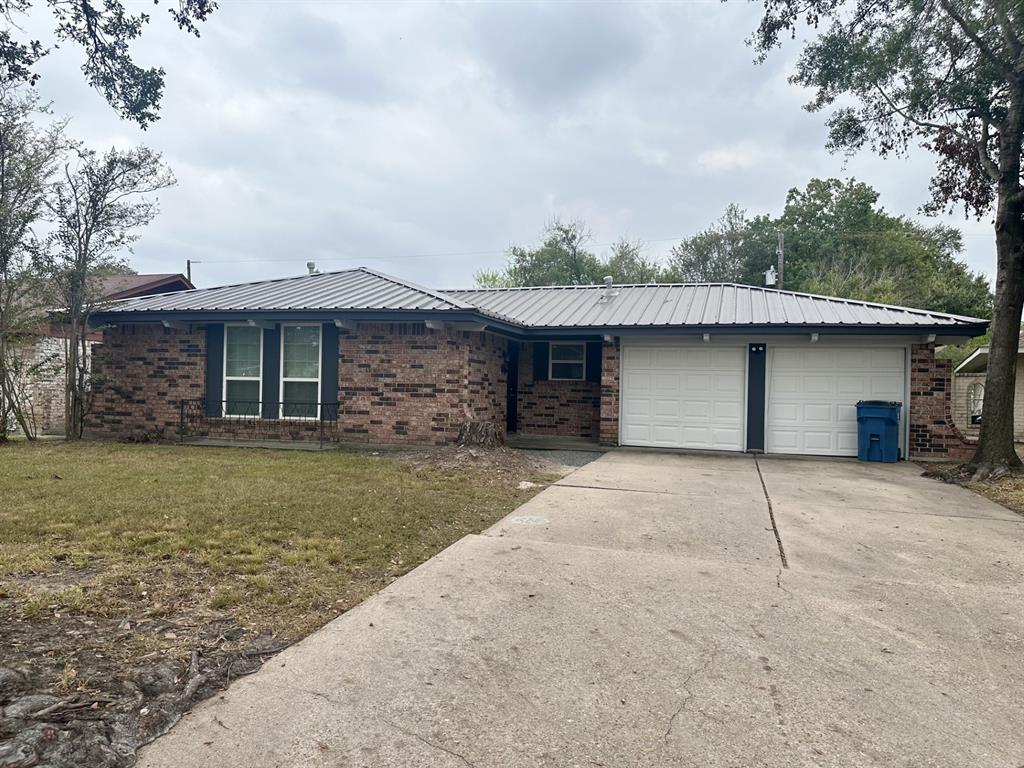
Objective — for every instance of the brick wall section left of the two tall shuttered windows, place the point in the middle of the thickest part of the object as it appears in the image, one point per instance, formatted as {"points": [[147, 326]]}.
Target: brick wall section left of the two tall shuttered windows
{"points": [[141, 375]]}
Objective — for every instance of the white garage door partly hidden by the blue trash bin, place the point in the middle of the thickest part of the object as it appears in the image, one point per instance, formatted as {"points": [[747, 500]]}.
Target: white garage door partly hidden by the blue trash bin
{"points": [[814, 393]]}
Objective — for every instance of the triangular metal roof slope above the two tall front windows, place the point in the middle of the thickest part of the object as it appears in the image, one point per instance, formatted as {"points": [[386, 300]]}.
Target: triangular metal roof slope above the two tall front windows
{"points": [[349, 289]]}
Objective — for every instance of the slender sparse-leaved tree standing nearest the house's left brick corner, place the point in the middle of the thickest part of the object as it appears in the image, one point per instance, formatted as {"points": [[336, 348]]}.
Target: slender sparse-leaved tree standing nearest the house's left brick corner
{"points": [[99, 208]]}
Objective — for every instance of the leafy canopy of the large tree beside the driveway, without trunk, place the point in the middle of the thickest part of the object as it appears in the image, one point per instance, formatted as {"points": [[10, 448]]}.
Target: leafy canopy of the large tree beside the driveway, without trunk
{"points": [[944, 75]]}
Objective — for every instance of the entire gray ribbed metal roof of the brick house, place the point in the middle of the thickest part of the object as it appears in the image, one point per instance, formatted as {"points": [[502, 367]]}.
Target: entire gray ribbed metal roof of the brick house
{"points": [[665, 306]]}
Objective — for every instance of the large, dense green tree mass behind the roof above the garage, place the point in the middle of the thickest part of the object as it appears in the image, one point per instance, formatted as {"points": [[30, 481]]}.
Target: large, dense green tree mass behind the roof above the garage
{"points": [[839, 242]]}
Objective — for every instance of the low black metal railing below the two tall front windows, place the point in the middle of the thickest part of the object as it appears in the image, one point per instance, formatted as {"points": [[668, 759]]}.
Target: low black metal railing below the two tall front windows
{"points": [[247, 420]]}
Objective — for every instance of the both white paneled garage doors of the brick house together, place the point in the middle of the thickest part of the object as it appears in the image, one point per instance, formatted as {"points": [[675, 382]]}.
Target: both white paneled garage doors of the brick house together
{"points": [[696, 397]]}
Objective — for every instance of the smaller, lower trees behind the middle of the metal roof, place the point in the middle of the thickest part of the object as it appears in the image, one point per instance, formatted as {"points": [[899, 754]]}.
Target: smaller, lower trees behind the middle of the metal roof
{"points": [[564, 260]]}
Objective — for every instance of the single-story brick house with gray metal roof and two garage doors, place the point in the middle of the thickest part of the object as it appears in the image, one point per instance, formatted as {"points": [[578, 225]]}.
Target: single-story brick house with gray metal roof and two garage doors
{"points": [[360, 356]]}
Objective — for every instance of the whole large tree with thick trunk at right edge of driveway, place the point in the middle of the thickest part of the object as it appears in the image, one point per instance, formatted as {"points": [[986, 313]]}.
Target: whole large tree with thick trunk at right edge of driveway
{"points": [[949, 76]]}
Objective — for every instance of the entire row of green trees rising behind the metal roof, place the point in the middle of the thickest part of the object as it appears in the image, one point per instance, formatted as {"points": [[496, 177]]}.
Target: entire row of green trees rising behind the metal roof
{"points": [[839, 242]]}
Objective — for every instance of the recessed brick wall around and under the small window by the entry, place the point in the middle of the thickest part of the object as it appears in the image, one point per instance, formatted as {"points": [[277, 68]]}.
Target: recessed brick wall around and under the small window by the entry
{"points": [[557, 408]]}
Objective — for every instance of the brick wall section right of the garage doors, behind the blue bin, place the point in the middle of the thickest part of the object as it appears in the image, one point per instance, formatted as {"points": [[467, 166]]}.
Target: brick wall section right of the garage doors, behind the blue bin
{"points": [[933, 432]]}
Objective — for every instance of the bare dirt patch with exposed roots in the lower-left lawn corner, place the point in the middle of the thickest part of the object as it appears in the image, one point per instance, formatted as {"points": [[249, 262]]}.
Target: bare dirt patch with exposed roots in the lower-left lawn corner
{"points": [[77, 694]]}
